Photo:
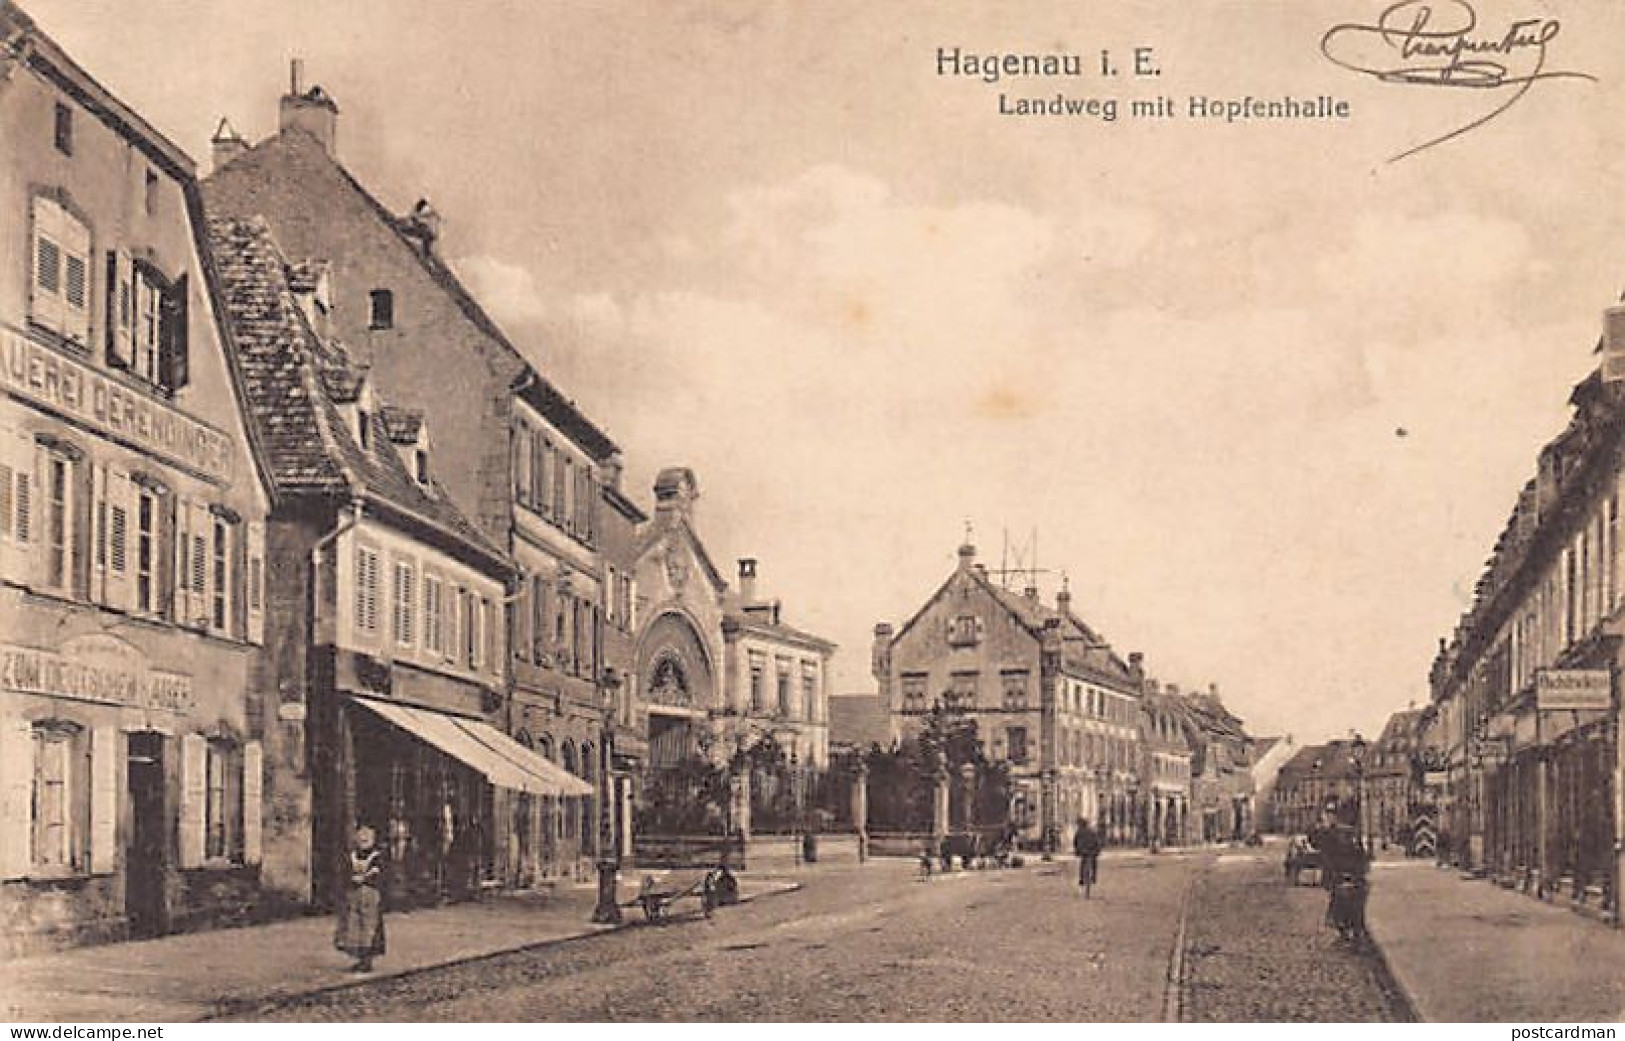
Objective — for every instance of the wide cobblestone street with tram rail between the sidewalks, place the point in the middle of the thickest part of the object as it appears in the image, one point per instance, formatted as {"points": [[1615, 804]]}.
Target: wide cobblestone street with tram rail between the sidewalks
{"points": [[880, 946]]}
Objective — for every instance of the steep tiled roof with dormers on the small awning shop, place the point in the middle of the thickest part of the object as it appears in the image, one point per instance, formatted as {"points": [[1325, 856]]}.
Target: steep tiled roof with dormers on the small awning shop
{"points": [[292, 378]]}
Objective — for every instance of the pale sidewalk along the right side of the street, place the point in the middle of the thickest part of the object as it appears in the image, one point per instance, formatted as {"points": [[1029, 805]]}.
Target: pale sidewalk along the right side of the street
{"points": [[1468, 951]]}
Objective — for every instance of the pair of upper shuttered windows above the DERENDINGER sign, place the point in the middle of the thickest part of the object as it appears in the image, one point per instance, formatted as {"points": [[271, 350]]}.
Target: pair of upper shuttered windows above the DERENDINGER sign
{"points": [[145, 317]]}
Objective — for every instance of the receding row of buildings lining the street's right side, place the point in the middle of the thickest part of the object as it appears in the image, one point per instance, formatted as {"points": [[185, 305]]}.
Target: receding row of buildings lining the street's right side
{"points": [[1520, 749]]}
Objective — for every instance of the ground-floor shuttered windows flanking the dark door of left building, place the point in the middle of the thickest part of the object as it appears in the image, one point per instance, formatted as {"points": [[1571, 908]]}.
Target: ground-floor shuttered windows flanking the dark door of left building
{"points": [[64, 780]]}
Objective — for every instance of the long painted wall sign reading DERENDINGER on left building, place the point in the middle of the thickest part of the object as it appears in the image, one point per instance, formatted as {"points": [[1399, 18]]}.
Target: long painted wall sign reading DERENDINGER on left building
{"points": [[48, 378]]}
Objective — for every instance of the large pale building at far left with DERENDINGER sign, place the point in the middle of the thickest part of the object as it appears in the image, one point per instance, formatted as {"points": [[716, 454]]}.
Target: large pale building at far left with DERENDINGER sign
{"points": [[132, 532]]}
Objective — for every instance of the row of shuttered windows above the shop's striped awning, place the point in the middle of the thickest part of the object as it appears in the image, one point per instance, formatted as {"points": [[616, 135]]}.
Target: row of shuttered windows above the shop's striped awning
{"points": [[435, 616]]}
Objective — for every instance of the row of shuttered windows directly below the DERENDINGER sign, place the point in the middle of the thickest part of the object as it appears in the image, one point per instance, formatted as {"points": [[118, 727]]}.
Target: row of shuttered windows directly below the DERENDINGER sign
{"points": [[80, 529]]}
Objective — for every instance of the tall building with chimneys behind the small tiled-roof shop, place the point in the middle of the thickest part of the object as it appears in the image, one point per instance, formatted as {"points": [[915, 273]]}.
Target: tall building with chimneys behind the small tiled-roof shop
{"points": [[516, 456]]}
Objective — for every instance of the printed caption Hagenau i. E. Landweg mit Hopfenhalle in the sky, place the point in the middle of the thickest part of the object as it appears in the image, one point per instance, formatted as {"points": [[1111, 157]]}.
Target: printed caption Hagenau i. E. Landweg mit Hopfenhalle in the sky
{"points": [[1000, 67]]}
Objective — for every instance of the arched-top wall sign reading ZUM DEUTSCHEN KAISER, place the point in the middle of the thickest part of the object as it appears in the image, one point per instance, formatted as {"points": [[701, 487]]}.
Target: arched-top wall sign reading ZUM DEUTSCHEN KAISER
{"points": [[100, 670]]}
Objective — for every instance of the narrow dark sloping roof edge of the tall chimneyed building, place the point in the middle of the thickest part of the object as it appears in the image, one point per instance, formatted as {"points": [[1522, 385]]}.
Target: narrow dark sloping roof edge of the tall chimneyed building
{"points": [[531, 386]]}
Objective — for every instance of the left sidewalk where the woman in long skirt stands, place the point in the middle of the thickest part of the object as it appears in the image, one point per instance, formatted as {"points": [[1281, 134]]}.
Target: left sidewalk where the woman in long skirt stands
{"points": [[184, 978]]}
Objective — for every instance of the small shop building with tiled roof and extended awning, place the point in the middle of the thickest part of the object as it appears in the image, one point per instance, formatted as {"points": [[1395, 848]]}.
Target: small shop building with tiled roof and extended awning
{"points": [[388, 644]]}
